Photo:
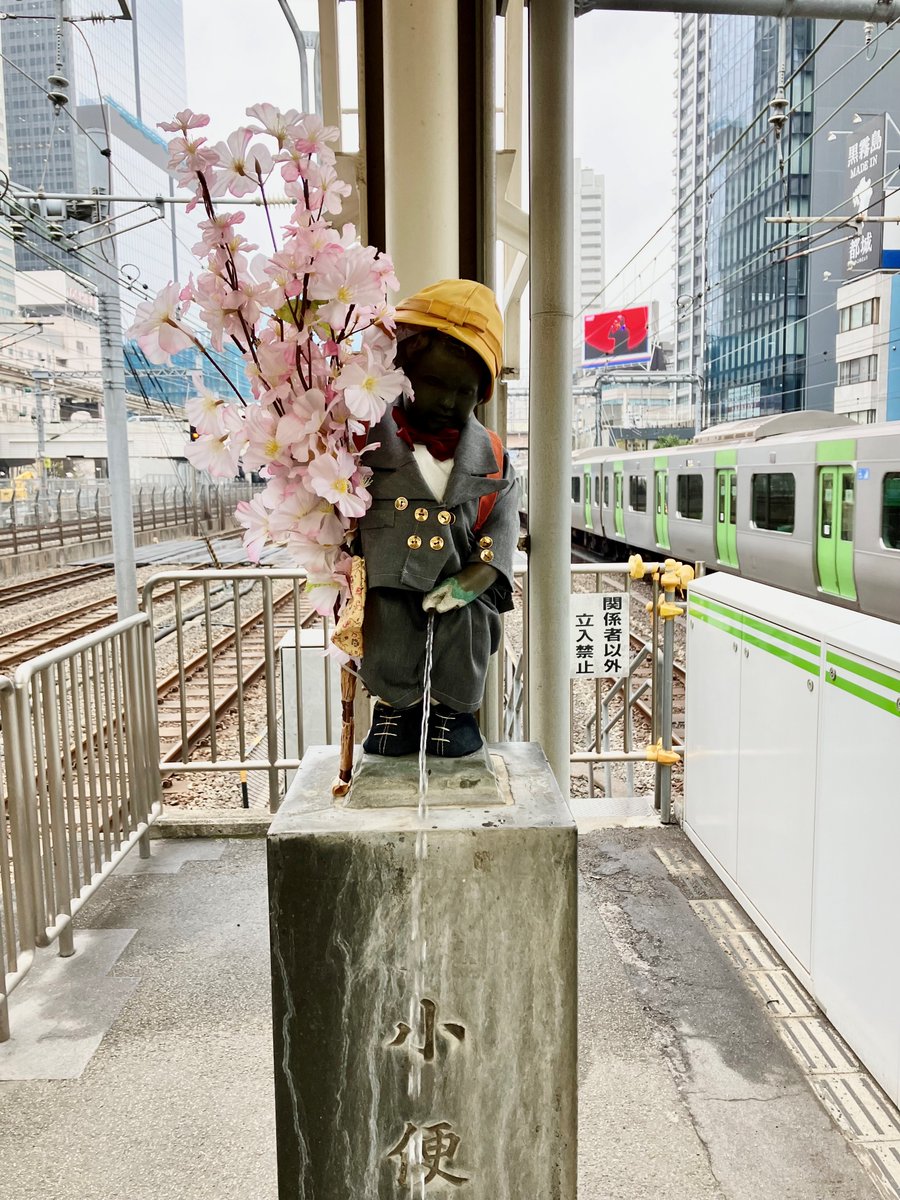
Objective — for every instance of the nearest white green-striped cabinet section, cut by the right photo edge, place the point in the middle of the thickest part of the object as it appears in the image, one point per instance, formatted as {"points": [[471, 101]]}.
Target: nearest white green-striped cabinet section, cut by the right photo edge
{"points": [[856, 950]]}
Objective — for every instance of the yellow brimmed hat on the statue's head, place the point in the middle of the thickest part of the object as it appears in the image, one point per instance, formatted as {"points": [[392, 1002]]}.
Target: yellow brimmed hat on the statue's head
{"points": [[465, 310]]}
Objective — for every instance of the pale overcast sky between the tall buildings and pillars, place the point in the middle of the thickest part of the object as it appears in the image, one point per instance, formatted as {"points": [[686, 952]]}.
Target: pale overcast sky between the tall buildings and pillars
{"points": [[625, 124]]}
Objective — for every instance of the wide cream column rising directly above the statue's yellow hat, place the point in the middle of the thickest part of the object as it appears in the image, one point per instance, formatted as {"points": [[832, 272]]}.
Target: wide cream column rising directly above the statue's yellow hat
{"points": [[422, 141]]}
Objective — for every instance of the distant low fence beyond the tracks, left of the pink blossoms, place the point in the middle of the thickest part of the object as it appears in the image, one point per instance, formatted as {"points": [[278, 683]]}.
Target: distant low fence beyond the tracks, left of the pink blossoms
{"points": [[59, 515]]}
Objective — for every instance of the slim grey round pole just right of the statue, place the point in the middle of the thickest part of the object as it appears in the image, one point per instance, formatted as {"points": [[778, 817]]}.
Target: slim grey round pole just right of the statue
{"points": [[551, 49]]}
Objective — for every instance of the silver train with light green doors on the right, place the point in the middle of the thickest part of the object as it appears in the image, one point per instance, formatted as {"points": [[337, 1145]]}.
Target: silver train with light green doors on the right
{"points": [[808, 502]]}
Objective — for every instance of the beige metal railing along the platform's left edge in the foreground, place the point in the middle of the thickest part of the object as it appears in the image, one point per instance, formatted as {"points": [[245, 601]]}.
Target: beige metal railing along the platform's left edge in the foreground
{"points": [[82, 787]]}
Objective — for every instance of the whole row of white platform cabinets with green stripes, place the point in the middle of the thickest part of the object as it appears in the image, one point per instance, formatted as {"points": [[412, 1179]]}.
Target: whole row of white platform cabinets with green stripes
{"points": [[791, 791]]}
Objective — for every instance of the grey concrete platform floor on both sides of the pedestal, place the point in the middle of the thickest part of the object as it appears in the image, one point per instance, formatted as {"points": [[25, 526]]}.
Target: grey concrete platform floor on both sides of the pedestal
{"points": [[160, 1030]]}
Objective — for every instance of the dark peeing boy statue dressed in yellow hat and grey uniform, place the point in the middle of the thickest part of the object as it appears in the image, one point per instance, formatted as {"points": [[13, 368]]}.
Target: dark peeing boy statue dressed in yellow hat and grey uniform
{"points": [[442, 531]]}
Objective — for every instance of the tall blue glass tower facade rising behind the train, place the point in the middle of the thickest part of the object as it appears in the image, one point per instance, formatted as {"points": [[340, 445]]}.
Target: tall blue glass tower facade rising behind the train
{"points": [[755, 298]]}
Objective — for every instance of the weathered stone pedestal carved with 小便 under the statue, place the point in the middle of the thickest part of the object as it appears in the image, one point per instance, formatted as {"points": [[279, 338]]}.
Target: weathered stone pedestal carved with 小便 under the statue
{"points": [[424, 988]]}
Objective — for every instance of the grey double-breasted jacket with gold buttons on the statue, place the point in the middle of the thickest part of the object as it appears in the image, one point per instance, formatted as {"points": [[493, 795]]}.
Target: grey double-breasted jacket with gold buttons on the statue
{"points": [[412, 545]]}
